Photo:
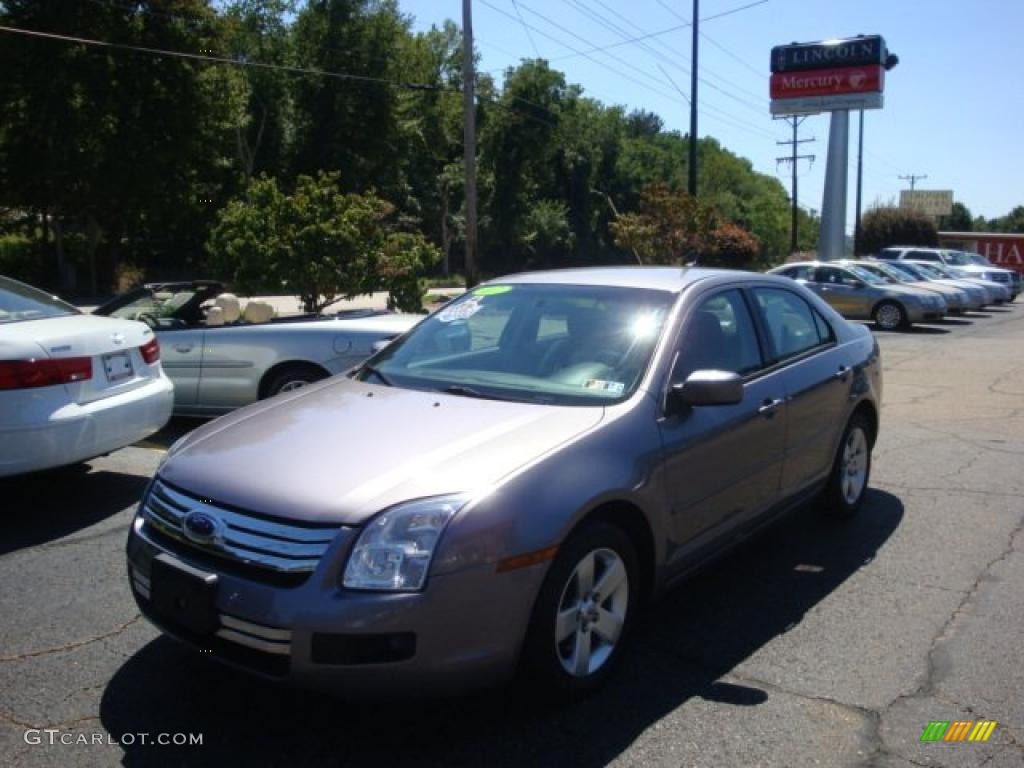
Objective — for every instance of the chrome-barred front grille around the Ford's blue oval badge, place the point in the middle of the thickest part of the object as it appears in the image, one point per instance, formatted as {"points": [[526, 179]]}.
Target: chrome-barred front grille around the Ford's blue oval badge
{"points": [[275, 546]]}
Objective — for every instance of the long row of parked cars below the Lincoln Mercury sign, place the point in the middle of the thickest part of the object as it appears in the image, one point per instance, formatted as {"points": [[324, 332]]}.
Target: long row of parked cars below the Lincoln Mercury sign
{"points": [[899, 292]]}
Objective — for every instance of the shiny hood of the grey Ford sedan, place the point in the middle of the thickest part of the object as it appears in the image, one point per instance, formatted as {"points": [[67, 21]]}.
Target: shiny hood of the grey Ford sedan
{"points": [[343, 451]]}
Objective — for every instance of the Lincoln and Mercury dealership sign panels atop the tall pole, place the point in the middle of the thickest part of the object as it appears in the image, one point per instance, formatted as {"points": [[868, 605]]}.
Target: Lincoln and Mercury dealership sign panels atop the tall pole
{"points": [[846, 74]]}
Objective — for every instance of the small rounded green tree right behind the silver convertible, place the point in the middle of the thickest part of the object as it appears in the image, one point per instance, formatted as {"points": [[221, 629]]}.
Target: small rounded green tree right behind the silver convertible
{"points": [[317, 243]]}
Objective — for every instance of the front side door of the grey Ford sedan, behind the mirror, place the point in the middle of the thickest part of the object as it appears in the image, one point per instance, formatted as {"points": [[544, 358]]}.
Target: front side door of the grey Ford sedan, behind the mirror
{"points": [[723, 463]]}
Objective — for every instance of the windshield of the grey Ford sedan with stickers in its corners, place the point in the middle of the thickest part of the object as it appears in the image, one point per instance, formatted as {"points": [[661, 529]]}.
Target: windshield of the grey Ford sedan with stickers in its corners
{"points": [[561, 345]]}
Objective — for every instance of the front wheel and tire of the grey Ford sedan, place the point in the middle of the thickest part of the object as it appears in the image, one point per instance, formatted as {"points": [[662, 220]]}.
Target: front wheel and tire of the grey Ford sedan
{"points": [[572, 657]]}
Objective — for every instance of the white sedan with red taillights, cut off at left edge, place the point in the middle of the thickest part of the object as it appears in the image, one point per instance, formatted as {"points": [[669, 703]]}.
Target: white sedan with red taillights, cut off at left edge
{"points": [[73, 387]]}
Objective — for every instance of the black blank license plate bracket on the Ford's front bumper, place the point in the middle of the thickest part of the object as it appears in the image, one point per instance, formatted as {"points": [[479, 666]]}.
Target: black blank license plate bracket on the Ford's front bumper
{"points": [[184, 595]]}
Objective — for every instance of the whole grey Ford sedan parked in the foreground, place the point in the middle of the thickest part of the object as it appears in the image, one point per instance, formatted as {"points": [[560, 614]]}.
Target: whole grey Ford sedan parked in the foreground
{"points": [[503, 488]]}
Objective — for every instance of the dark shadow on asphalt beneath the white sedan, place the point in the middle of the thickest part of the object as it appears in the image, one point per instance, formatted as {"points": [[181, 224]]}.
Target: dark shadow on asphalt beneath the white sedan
{"points": [[48, 506]]}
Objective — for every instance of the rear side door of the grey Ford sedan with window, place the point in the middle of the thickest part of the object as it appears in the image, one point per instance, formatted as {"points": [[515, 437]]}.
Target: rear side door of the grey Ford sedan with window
{"points": [[818, 375]]}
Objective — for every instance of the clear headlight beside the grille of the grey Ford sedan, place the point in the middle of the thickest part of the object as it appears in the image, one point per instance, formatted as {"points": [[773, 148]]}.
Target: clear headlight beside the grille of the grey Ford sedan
{"points": [[395, 551]]}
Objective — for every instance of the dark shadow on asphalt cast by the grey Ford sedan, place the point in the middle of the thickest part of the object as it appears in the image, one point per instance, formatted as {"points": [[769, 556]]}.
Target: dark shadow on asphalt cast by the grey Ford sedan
{"points": [[681, 650]]}
